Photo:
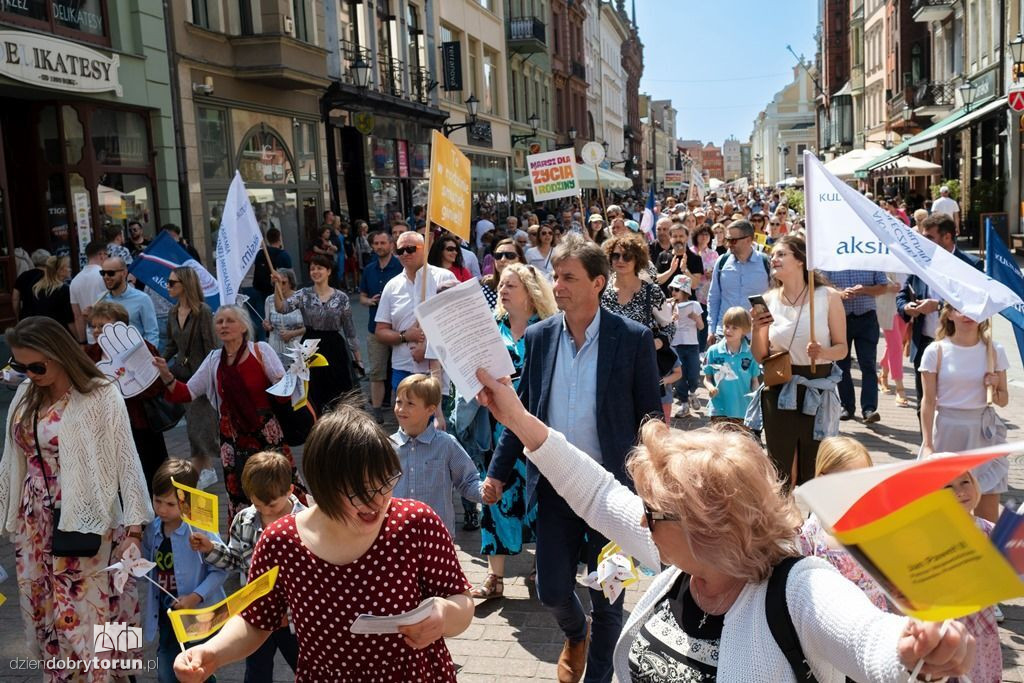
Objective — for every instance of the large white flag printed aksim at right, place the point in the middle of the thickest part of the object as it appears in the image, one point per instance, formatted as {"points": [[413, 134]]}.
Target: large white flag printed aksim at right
{"points": [[846, 232]]}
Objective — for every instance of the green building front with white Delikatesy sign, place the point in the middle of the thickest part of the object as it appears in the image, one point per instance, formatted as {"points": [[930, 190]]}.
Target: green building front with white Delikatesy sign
{"points": [[88, 138]]}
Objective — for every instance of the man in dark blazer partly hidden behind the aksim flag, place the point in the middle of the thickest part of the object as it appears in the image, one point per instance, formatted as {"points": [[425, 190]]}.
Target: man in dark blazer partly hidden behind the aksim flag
{"points": [[917, 305]]}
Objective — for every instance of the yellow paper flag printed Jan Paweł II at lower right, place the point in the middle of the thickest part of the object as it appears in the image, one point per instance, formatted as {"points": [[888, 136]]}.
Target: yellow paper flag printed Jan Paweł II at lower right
{"points": [[932, 561]]}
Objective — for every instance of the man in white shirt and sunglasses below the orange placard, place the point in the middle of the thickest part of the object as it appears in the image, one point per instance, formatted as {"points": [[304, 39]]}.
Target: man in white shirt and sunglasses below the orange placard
{"points": [[397, 325]]}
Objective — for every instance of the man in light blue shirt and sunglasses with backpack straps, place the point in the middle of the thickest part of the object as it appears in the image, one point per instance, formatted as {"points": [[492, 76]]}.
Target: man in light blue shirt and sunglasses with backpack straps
{"points": [[740, 274]]}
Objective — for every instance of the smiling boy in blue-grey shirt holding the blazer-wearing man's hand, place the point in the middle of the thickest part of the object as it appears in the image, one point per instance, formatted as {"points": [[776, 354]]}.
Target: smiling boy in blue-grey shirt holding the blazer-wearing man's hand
{"points": [[433, 461]]}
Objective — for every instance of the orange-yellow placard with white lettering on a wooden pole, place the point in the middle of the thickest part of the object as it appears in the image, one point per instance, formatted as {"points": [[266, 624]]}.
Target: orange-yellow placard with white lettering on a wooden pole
{"points": [[449, 202]]}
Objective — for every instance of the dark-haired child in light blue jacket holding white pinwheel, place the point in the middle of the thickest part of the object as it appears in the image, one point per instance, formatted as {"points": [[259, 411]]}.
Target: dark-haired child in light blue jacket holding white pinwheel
{"points": [[181, 571]]}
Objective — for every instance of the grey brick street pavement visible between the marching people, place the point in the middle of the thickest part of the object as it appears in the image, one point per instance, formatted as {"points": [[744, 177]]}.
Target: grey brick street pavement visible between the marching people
{"points": [[515, 639]]}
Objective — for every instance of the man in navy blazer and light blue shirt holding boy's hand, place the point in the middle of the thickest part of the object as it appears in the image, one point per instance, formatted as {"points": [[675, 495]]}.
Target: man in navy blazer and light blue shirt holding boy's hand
{"points": [[591, 375]]}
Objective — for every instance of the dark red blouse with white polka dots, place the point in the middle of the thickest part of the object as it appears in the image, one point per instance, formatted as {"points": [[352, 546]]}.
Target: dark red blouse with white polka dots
{"points": [[412, 559]]}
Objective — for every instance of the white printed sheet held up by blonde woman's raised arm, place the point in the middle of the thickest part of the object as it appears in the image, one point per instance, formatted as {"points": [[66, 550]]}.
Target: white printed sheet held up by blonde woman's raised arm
{"points": [[462, 332]]}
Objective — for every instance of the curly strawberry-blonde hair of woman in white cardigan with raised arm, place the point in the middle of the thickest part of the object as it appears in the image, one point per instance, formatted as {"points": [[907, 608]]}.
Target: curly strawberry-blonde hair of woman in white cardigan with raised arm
{"points": [[726, 492]]}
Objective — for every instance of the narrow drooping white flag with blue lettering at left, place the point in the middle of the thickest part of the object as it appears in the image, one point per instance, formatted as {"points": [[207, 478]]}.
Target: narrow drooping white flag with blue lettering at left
{"points": [[238, 241]]}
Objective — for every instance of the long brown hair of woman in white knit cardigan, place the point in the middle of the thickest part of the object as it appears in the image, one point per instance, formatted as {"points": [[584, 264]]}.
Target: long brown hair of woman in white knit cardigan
{"points": [[47, 336]]}
